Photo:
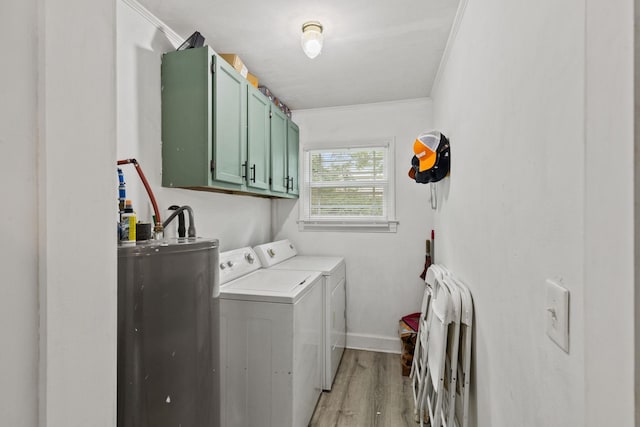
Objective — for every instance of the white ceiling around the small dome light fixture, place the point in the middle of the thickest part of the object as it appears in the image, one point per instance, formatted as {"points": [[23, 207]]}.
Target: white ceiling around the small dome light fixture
{"points": [[374, 50]]}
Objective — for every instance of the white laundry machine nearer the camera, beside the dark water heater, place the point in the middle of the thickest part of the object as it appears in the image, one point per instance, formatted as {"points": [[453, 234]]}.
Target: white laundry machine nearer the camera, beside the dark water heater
{"points": [[270, 340]]}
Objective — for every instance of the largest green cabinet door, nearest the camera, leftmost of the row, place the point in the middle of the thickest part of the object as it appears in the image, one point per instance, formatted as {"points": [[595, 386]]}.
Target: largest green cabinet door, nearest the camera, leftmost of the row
{"points": [[229, 123]]}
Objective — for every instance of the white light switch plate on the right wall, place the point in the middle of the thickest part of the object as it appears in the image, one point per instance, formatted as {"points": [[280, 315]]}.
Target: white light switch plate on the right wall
{"points": [[557, 314]]}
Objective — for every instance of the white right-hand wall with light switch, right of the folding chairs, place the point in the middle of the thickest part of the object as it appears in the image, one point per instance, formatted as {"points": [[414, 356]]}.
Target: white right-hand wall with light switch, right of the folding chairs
{"points": [[528, 199]]}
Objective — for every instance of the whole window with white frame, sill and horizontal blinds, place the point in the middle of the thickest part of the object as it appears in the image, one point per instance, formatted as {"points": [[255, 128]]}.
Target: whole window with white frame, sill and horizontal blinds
{"points": [[349, 188]]}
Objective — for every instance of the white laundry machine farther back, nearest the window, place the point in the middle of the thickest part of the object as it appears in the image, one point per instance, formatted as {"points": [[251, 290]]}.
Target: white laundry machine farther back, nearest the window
{"points": [[282, 255]]}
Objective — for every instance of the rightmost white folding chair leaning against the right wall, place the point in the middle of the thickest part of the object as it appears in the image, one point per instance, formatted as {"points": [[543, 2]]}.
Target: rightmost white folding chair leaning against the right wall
{"points": [[464, 356]]}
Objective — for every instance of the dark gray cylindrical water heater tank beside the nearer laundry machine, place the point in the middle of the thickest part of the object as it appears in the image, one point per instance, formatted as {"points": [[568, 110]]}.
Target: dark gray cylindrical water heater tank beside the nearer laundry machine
{"points": [[168, 334]]}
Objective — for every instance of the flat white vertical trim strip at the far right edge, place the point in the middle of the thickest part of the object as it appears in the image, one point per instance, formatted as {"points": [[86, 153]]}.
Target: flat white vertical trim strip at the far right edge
{"points": [[609, 214]]}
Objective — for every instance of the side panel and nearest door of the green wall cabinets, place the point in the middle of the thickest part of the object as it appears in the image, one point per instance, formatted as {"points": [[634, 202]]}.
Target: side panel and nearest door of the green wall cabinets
{"points": [[203, 121]]}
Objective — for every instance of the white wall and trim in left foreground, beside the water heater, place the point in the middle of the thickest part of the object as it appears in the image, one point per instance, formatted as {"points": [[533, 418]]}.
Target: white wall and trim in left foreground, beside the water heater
{"points": [[57, 123]]}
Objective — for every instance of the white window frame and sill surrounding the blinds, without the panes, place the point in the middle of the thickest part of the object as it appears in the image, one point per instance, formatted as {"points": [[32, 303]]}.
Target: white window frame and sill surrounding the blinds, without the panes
{"points": [[357, 224]]}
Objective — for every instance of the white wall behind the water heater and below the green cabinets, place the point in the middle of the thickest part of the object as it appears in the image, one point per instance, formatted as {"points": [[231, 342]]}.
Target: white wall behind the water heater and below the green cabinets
{"points": [[235, 220]]}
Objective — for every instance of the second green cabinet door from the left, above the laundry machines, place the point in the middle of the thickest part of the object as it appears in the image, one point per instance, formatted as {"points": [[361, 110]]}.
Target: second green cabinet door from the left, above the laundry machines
{"points": [[258, 139]]}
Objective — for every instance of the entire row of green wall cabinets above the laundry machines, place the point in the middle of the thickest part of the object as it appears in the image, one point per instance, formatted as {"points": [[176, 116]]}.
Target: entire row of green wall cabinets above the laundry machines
{"points": [[219, 132]]}
